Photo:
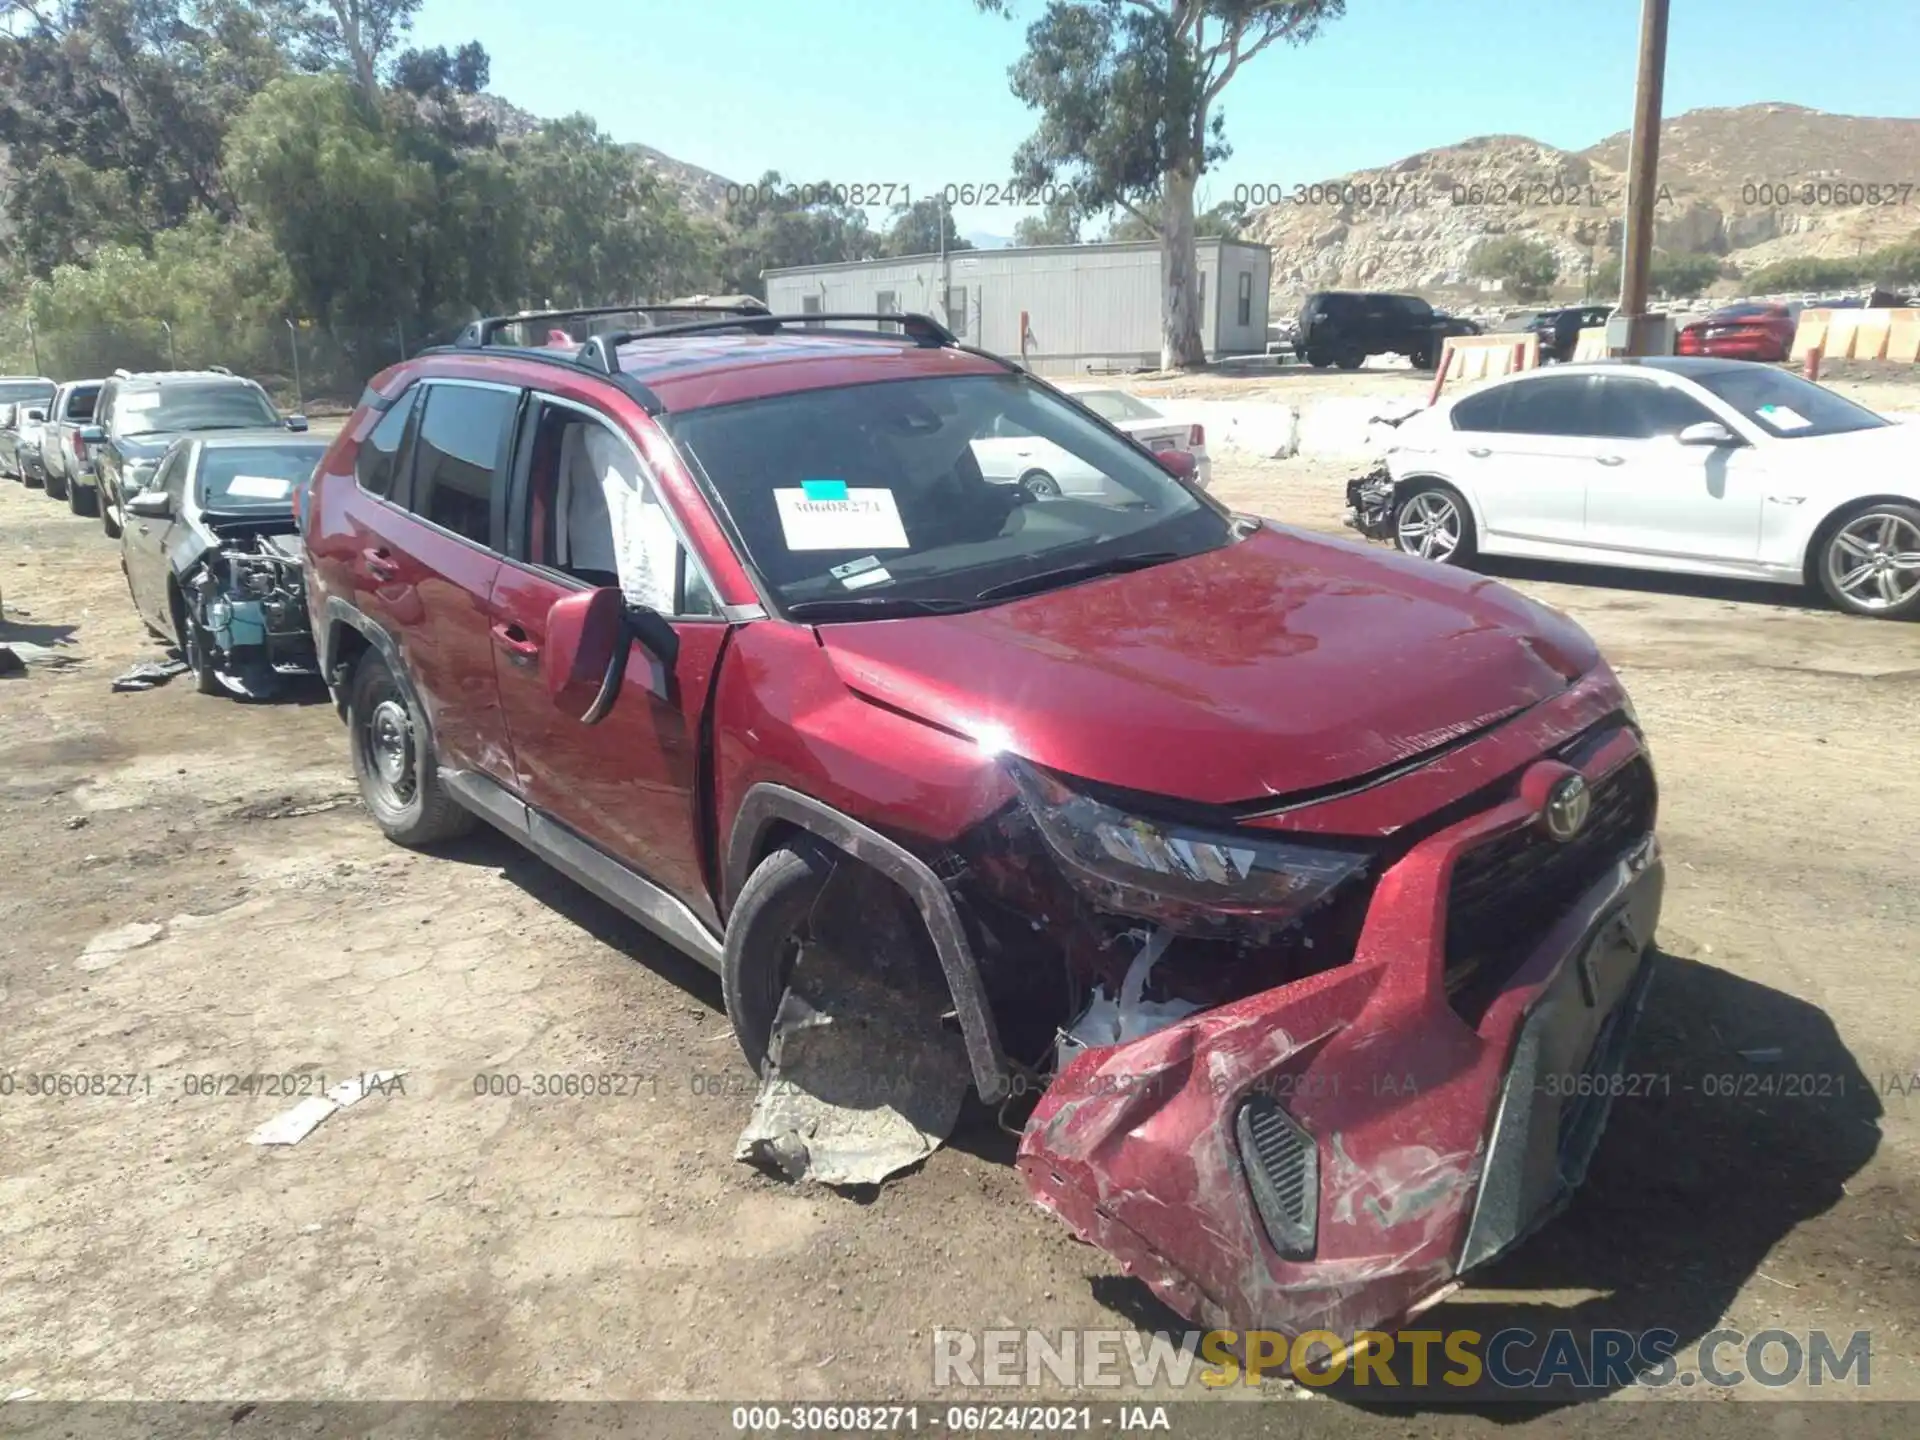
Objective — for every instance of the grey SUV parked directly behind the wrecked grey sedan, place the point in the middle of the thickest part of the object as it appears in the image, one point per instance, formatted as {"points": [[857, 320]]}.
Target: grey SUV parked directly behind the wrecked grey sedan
{"points": [[141, 414]]}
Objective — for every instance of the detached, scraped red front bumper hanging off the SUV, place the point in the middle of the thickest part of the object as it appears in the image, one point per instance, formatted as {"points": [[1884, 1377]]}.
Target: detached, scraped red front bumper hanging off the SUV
{"points": [[1332, 1155]]}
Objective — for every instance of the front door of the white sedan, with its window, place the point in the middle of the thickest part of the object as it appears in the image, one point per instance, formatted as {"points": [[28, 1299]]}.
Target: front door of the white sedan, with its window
{"points": [[1656, 496]]}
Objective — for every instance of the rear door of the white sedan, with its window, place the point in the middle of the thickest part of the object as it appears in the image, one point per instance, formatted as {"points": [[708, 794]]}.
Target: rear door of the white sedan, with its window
{"points": [[1529, 458]]}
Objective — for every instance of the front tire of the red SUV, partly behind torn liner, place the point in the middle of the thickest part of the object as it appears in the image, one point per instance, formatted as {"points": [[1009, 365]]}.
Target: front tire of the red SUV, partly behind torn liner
{"points": [[763, 942]]}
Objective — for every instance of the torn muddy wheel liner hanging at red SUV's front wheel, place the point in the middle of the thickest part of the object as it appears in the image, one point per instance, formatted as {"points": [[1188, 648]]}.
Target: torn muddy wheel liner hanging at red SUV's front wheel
{"points": [[859, 1086]]}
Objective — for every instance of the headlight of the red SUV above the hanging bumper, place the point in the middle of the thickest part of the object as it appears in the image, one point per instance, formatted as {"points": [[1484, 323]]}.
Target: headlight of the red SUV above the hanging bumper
{"points": [[1140, 867]]}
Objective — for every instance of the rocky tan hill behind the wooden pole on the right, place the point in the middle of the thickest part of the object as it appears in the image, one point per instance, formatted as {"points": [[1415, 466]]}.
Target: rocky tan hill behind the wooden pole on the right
{"points": [[1752, 185]]}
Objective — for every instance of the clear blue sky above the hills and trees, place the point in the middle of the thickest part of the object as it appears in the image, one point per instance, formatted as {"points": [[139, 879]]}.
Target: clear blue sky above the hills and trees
{"points": [[915, 93]]}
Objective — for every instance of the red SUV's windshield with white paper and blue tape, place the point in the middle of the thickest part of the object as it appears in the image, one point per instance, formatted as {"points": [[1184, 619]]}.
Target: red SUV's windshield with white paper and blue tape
{"points": [[934, 491]]}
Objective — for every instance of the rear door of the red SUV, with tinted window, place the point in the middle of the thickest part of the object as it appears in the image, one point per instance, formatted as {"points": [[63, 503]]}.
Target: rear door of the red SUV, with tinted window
{"points": [[427, 560]]}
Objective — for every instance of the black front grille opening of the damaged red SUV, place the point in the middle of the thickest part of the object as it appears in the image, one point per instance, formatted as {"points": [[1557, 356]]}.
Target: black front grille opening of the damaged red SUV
{"points": [[1510, 892]]}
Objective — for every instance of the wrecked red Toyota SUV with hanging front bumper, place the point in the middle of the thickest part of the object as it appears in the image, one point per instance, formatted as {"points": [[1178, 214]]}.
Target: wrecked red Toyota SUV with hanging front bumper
{"points": [[1353, 853]]}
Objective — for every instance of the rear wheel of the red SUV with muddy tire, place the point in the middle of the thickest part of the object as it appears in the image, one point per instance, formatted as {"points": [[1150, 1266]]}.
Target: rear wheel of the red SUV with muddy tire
{"points": [[395, 761]]}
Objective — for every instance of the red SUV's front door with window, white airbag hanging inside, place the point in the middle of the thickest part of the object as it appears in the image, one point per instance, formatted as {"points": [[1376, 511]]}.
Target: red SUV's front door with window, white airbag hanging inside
{"points": [[627, 784]]}
